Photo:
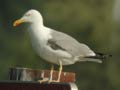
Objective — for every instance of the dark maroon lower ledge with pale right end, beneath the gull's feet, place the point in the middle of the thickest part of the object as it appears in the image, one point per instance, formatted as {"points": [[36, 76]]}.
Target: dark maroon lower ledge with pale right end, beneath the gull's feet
{"points": [[22, 85]]}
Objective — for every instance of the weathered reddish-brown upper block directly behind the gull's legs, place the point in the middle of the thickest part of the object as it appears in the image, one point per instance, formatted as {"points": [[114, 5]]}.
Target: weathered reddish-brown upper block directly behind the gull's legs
{"points": [[27, 74]]}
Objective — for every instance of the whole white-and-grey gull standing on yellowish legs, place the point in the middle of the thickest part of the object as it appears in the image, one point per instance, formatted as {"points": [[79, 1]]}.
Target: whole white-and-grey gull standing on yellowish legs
{"points": [[54, 46]]}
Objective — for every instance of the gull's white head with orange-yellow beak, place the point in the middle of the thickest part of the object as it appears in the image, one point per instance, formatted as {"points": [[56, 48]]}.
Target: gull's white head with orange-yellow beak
{"points": [[31, 16]]}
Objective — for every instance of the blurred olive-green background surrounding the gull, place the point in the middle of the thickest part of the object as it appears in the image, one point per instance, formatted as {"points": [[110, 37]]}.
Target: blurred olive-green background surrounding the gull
{"points": [[89, 21]]}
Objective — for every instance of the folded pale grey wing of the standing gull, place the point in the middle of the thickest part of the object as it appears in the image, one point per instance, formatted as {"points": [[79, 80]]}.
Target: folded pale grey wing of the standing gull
{"points": [[69, 44]]}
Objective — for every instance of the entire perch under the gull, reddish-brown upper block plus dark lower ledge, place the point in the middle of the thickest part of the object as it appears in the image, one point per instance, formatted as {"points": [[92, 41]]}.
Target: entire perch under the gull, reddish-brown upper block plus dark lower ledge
{"points": [[27, 79]]}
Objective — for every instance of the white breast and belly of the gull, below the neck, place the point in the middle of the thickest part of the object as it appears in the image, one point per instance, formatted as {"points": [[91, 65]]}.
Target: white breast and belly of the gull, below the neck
{"points": [[39, 42]]}
